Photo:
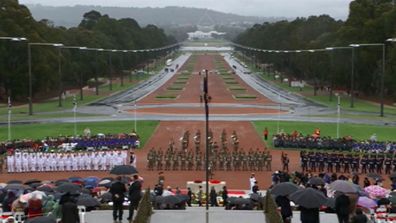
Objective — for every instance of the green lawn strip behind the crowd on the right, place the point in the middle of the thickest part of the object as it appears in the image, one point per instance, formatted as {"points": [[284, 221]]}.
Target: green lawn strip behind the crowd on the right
{"points": [[357, 131]]}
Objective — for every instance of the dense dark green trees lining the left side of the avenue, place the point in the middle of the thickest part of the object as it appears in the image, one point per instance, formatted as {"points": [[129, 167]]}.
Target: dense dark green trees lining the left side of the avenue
{"points": [[95, 31]]}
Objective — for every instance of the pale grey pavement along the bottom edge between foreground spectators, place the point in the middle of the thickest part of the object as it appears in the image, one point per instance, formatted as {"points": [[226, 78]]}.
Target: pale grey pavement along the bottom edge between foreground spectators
{"points": [[198, 215]]}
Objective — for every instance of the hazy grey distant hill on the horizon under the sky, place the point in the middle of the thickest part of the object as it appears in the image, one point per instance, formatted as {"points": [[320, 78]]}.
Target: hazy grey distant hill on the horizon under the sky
{"points": [[168, 16]]}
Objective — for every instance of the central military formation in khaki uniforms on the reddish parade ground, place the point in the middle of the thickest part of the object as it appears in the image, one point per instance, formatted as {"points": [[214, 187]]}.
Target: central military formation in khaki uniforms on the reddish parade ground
{"points": [[221, 157]]}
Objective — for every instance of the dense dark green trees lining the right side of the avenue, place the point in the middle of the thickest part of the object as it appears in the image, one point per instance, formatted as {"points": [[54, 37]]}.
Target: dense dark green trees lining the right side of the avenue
{"points": [[369, 21]]}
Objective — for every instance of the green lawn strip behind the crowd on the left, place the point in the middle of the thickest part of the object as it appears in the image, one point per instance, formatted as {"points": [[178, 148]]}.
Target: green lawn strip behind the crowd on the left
{"points": [[39, 131]]}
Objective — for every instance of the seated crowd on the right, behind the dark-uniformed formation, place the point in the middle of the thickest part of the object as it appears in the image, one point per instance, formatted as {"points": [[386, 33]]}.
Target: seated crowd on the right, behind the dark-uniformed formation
{"points": [[314, 141]]}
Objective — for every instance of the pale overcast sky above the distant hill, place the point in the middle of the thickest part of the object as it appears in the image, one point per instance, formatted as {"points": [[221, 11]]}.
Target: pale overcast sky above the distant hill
{"points": [[266, 8]]}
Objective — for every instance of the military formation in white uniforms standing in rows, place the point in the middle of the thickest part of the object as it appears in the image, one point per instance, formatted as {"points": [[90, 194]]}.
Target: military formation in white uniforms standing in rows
{"points": [[51, 162]]}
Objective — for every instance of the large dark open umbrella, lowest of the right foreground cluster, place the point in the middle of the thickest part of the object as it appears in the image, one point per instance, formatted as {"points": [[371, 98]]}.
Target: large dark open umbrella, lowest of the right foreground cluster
{"points": [[308, 198]]}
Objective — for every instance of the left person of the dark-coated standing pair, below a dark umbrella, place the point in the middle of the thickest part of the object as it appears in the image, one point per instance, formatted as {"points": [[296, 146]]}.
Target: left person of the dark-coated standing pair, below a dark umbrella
{"points": [[117, 191]]}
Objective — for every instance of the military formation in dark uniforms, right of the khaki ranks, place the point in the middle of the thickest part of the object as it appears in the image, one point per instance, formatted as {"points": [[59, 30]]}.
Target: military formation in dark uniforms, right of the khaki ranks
{"points": [[345, 163]]}
